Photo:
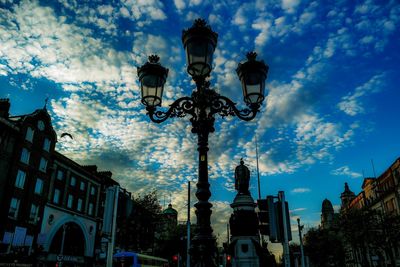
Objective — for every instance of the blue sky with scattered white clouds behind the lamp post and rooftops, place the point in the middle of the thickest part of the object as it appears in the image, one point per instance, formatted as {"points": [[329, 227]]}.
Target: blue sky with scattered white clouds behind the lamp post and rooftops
{"points": [[330, 115]]}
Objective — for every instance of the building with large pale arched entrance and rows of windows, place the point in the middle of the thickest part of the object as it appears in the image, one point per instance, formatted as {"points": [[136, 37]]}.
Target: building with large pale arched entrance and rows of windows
{"points": [[72, 217]]}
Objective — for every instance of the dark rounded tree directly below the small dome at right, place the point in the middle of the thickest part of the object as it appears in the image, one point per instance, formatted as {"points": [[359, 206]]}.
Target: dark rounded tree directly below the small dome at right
{"points": [[324, 247]]}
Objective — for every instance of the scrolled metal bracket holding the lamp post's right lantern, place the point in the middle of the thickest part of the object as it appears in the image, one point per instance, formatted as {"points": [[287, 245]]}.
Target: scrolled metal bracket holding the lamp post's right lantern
{"points": [[225, 107]]}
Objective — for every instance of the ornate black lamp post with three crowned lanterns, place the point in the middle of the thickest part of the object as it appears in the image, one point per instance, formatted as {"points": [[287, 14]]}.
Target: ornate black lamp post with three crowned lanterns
{"points": [[199, 42]]}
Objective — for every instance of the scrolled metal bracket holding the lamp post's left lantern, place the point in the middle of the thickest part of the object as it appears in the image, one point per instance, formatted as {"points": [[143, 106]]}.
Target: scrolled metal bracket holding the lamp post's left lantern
{"points": [[179, 108]]}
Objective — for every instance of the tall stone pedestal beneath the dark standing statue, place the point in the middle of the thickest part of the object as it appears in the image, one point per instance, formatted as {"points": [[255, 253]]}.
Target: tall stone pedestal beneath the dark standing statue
{"points": [[245, 242]]}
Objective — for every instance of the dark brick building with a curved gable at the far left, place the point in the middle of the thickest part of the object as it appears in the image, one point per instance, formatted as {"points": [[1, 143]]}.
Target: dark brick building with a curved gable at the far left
{"points": [[26, 146]]}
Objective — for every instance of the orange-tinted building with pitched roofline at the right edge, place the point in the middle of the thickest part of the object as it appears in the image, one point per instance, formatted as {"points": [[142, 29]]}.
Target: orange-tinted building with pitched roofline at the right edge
{"points": [[380, 195]]}
